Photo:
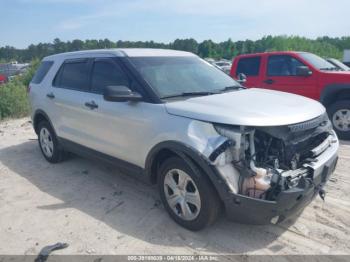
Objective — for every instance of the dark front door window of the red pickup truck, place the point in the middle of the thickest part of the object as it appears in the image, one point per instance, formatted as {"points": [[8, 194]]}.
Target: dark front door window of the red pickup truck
{"points": [[282, 65]]}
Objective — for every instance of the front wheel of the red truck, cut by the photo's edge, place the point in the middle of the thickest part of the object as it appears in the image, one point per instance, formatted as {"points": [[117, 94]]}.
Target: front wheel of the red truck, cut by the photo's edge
{"points": [[339, 114]]}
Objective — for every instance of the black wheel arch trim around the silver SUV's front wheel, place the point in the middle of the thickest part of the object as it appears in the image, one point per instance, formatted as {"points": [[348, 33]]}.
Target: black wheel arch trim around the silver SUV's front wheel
{"points": [[167, 149]]}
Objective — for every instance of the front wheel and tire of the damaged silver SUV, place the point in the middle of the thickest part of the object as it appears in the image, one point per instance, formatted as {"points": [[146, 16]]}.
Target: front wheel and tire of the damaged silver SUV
{"points": [[187, 194]]}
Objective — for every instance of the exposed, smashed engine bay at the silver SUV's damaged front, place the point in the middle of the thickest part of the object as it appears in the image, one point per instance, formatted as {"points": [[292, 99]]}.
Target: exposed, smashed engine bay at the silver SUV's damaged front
{"points": [[261, 162]]}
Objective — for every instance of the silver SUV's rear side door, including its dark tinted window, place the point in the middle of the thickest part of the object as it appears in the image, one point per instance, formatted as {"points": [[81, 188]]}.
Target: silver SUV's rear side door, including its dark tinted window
{"points": [[69, 94]]}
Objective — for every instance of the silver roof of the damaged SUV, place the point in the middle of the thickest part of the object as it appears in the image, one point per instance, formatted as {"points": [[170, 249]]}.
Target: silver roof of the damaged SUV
{"points": [[122, 52]]}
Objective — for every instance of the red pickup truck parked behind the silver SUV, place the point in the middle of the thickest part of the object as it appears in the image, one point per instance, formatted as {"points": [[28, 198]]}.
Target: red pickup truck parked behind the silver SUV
{"points": [[300, 73]]}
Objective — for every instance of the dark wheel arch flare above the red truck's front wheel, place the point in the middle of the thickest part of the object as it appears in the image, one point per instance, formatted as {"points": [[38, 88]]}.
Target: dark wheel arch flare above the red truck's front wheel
{"points": [[334, 92]]}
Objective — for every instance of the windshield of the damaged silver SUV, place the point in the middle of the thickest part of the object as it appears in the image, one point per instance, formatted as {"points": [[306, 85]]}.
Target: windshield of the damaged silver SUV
{"points": [[176, 76]]}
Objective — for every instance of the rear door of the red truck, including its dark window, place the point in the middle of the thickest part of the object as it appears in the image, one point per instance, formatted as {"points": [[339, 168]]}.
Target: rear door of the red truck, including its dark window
{"points": [[251, 67]]}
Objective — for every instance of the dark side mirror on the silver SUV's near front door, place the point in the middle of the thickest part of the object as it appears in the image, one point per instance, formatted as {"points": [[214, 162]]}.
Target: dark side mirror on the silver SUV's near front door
{"points": [[120, 94]]}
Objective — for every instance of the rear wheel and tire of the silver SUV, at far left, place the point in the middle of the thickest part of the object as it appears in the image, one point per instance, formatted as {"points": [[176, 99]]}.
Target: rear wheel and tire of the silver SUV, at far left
{"points": [[48, 143]]}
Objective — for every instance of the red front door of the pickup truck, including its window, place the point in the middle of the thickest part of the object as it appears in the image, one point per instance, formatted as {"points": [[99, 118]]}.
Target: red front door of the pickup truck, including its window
{"points": [[280, 74]]}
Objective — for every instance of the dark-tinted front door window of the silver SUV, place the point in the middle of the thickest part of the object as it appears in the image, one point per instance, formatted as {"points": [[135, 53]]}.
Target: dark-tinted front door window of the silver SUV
{"points": [[107, 73]]}
